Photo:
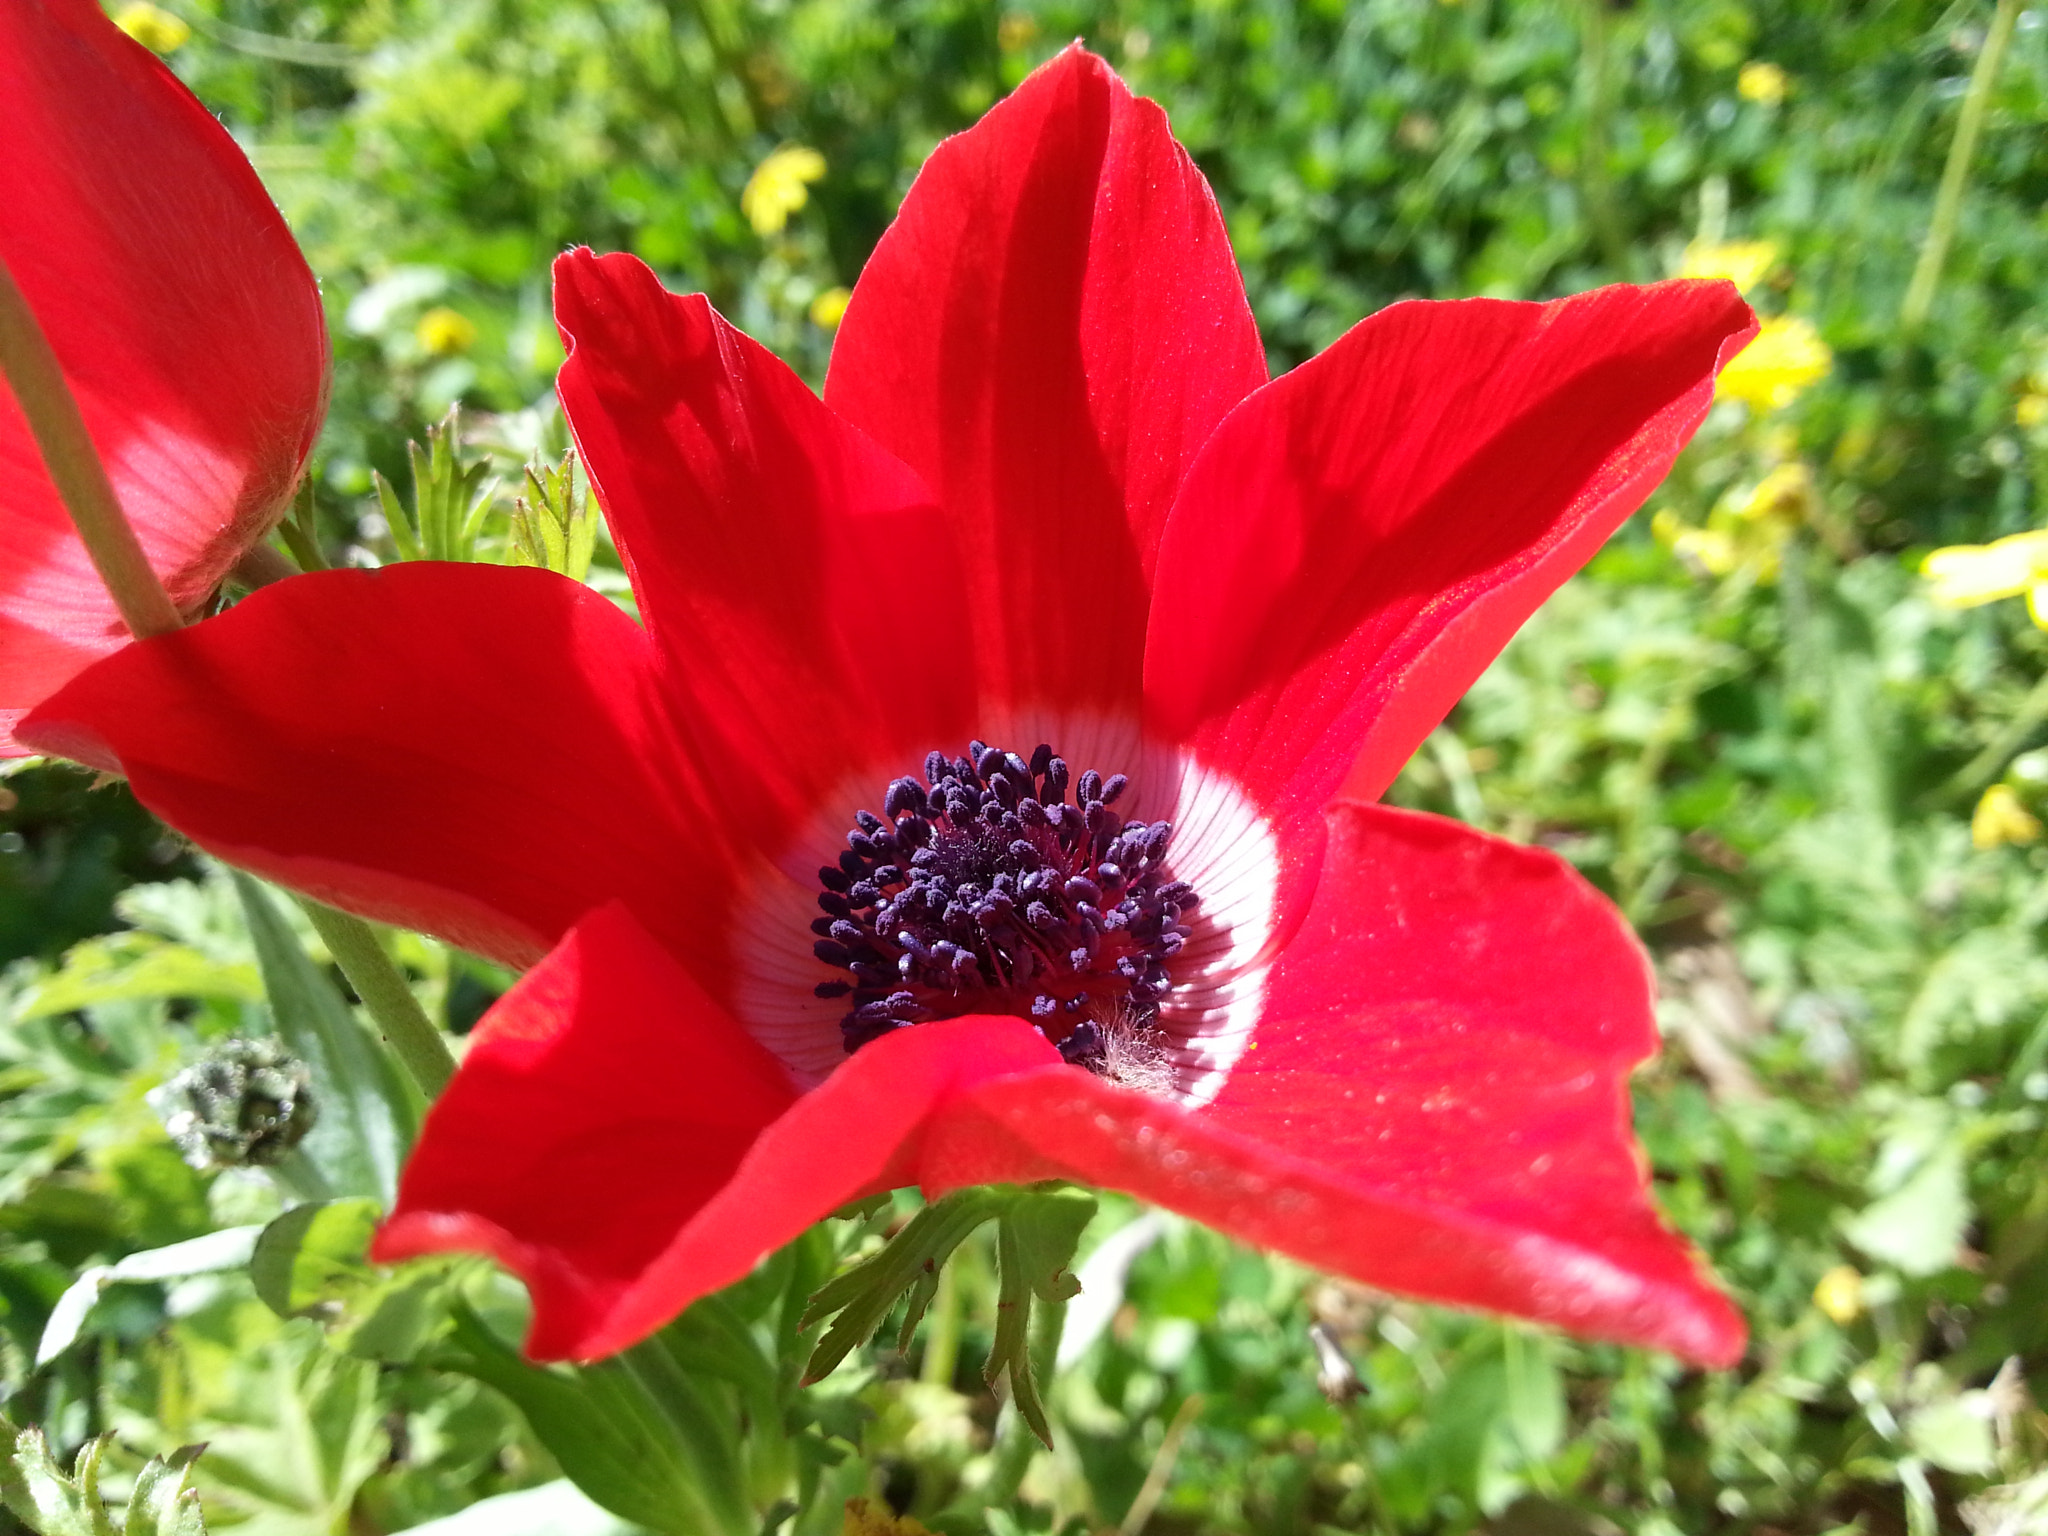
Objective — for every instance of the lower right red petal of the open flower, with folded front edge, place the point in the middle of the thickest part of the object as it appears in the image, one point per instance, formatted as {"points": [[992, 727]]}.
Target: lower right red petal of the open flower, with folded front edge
{"points": [[1437, 1101]]}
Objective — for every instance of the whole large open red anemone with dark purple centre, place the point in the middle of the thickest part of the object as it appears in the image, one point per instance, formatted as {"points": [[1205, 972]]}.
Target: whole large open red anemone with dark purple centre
{"points": [[962, 810]]}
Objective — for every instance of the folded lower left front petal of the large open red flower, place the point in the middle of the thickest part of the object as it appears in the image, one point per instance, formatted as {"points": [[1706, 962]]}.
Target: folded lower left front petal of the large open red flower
{"points": [[628, 1148]]}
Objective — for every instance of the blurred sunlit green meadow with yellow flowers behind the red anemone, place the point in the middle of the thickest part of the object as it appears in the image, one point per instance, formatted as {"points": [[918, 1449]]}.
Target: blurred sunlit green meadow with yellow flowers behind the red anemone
{"points": [[1748, 722]]}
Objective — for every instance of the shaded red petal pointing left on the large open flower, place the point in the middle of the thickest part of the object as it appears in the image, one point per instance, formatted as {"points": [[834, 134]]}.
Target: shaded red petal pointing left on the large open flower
{"points": [[472, 751]]}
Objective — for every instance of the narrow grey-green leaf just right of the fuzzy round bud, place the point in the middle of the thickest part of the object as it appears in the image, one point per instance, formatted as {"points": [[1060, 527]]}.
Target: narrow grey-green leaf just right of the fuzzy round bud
{"points": [[368, 1113]]}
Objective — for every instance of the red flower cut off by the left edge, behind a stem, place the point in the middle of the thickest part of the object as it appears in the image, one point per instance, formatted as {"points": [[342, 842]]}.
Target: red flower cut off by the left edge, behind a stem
{"points": [[185, 321]]}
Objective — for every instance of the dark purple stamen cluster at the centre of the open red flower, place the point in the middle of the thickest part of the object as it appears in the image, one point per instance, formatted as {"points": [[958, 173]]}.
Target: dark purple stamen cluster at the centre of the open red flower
{"points": [[982, 890]]}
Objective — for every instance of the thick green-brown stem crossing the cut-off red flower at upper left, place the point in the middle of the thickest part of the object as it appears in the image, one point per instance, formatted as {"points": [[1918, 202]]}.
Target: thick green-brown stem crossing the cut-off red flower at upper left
{"points": [[75, 468]]}
